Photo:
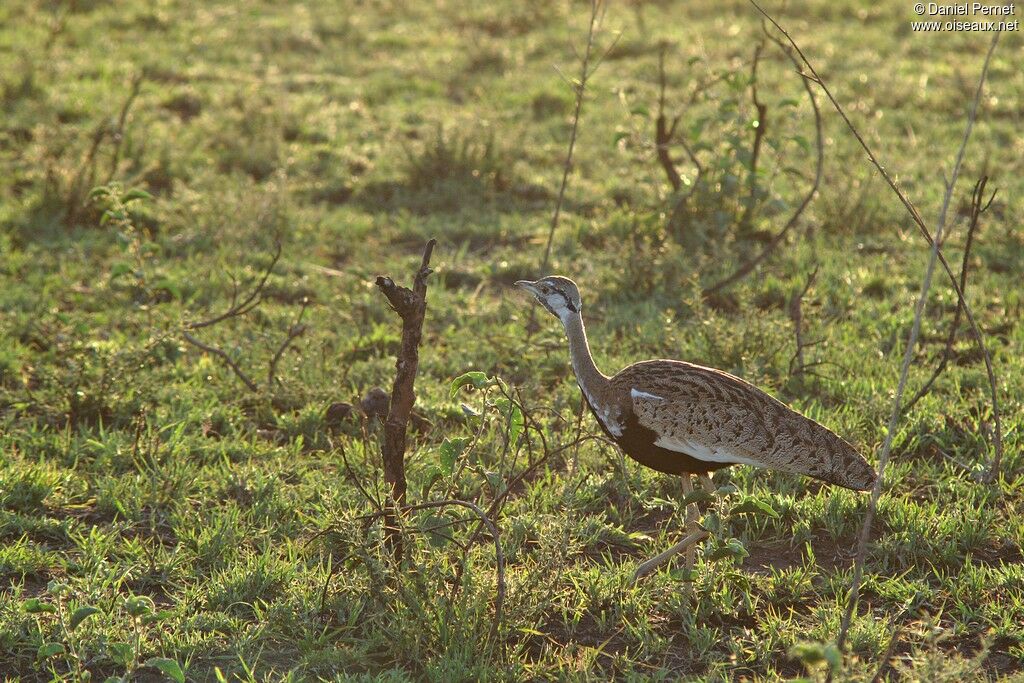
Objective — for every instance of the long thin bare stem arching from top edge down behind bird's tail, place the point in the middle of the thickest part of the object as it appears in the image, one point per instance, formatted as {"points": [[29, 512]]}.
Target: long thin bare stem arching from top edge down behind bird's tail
{"points": [[920, 223]]}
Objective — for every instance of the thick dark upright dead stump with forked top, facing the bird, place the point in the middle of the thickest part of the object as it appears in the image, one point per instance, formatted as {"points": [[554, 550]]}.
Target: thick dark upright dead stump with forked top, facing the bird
{"points": [[411, 307]]}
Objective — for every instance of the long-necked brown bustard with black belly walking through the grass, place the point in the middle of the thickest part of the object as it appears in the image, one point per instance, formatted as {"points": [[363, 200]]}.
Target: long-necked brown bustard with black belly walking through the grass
{"points": [[685, 419]]}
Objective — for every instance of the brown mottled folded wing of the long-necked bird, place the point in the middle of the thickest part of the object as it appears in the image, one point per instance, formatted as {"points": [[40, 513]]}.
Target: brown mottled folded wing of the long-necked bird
{"points": [[716, 417]]}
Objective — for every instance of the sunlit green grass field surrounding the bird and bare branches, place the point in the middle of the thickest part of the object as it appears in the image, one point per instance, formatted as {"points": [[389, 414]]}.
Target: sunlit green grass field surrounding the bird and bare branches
{"points": [[159, 519]]}
